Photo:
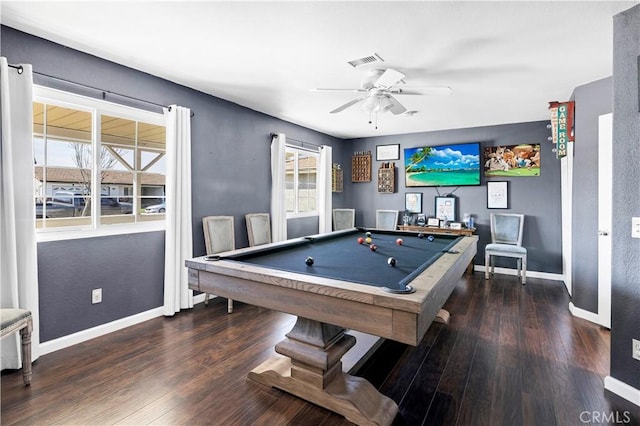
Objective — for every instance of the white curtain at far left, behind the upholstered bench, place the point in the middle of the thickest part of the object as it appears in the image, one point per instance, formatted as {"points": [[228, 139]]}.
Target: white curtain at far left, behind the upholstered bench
{"points": [[18, 250]]}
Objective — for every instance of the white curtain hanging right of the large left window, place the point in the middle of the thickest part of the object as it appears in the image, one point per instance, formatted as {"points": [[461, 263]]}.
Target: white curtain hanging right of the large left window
{"points": [[179, 233]]}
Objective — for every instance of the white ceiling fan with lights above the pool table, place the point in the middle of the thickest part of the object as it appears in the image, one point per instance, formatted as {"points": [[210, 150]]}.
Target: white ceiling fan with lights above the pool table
{"points": [[379, 89]]}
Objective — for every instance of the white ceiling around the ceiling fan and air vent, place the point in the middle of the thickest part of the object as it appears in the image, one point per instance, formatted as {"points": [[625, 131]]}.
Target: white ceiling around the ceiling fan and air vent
{"points": [[503, 60]]}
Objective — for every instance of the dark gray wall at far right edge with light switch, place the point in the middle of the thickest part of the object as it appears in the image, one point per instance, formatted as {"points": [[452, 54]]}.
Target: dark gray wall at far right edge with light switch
{"points": [[625, 280]]}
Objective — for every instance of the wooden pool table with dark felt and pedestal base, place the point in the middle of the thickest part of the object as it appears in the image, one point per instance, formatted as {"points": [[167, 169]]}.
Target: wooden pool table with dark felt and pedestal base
{"points": [[348, 286]]}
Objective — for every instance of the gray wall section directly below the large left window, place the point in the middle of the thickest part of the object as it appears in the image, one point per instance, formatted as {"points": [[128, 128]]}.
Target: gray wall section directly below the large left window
{"points": [[122, 266]]}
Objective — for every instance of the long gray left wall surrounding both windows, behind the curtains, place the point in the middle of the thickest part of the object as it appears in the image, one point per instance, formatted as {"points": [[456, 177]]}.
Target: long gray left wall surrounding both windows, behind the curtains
{"points": [[230, 176]]}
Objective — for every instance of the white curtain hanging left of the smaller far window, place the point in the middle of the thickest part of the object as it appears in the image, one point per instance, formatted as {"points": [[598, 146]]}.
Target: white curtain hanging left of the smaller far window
{"points": [[278, 209]]}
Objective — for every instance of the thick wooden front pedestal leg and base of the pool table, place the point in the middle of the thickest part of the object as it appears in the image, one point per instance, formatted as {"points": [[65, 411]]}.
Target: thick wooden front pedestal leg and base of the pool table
{"points": [[311, 369]]}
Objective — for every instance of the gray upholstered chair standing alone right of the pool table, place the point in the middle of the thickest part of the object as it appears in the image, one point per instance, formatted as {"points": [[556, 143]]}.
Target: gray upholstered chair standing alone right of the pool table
{"points": [[506, 241]]}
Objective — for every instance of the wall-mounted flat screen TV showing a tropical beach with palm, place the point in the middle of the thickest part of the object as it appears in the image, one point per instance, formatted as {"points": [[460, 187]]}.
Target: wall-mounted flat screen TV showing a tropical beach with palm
{"points": [[442, 165]]}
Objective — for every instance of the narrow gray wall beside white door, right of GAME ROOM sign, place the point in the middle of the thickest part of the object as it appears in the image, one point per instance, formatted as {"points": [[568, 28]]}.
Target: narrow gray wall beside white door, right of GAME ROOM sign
{"points": [[592, 100]]}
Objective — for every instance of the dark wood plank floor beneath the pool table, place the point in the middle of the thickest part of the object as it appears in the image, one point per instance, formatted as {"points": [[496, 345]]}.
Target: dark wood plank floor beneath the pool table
{"points": [[510, 355]]}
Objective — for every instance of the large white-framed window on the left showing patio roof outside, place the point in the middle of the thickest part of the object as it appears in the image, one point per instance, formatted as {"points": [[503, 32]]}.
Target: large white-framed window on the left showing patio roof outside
{"points": [[96, 164]]}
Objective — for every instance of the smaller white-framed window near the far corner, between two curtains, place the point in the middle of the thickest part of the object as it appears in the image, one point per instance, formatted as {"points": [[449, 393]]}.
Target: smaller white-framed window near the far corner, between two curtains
{"points": [[301, 182]]}
